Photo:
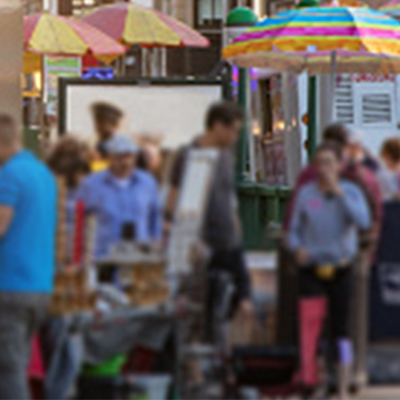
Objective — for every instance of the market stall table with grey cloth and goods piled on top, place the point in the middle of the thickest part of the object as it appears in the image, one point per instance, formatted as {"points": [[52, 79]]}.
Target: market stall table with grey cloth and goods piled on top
{"points": [[92, 337]]}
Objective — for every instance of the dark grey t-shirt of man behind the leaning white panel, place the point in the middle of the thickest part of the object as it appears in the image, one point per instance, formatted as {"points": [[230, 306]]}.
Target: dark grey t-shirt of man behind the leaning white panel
{"points": [[220, 228]]}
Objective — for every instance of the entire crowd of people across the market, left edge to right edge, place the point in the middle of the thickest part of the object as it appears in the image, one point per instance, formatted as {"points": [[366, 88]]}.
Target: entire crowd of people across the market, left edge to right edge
{"points": [[332, 226]]}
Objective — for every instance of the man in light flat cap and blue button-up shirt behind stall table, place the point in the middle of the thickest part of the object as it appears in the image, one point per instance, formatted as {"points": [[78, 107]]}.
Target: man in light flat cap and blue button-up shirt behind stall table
{"points": [[123, 199]]}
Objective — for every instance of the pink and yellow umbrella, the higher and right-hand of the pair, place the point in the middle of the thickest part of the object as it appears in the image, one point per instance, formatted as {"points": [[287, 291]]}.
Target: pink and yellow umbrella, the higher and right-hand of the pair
{"points": [[131, 24]]}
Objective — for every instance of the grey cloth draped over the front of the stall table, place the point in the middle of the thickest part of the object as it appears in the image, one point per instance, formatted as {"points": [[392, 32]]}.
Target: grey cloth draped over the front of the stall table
{"points": [[90, 338]]}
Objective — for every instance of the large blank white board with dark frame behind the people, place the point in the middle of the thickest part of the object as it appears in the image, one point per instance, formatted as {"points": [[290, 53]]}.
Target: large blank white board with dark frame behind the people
{"points": [[175, 112]]}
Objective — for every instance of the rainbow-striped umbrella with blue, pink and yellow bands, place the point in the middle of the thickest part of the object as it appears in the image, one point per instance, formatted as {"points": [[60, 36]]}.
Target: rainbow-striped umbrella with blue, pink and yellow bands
{"points": [[317, 39]]}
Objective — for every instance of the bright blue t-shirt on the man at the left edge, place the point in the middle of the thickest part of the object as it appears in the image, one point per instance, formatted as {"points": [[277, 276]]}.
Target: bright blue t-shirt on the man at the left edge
{"points": [[27, 249]]}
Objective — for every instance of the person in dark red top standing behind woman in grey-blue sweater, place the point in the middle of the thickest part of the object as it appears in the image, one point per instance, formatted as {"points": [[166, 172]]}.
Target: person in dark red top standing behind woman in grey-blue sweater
{"points": [[354, 169]]}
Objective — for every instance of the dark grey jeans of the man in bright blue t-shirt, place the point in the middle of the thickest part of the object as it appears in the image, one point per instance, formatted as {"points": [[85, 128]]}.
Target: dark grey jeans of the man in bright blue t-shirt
{"points": [[20, 318]]}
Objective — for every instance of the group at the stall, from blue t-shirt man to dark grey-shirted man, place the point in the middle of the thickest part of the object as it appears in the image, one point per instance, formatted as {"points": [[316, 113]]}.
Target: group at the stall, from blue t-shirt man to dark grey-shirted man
{"points": [[117, 184]]}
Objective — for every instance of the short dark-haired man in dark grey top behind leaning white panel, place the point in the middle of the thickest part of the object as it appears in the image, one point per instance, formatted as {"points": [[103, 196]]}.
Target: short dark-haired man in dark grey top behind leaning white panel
{"points": [[221, 226]]}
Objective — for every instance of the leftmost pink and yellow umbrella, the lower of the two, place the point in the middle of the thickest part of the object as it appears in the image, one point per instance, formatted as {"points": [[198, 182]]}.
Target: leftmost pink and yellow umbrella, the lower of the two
{"points": [[57, 35]]}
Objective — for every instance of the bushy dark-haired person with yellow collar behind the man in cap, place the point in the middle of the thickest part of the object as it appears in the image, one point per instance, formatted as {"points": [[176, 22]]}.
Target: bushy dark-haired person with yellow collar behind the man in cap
{"points": [[107, 121]]}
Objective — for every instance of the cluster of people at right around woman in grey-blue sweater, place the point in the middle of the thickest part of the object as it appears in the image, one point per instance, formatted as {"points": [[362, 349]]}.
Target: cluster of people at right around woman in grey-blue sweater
{"points": [[333, 227]]}
